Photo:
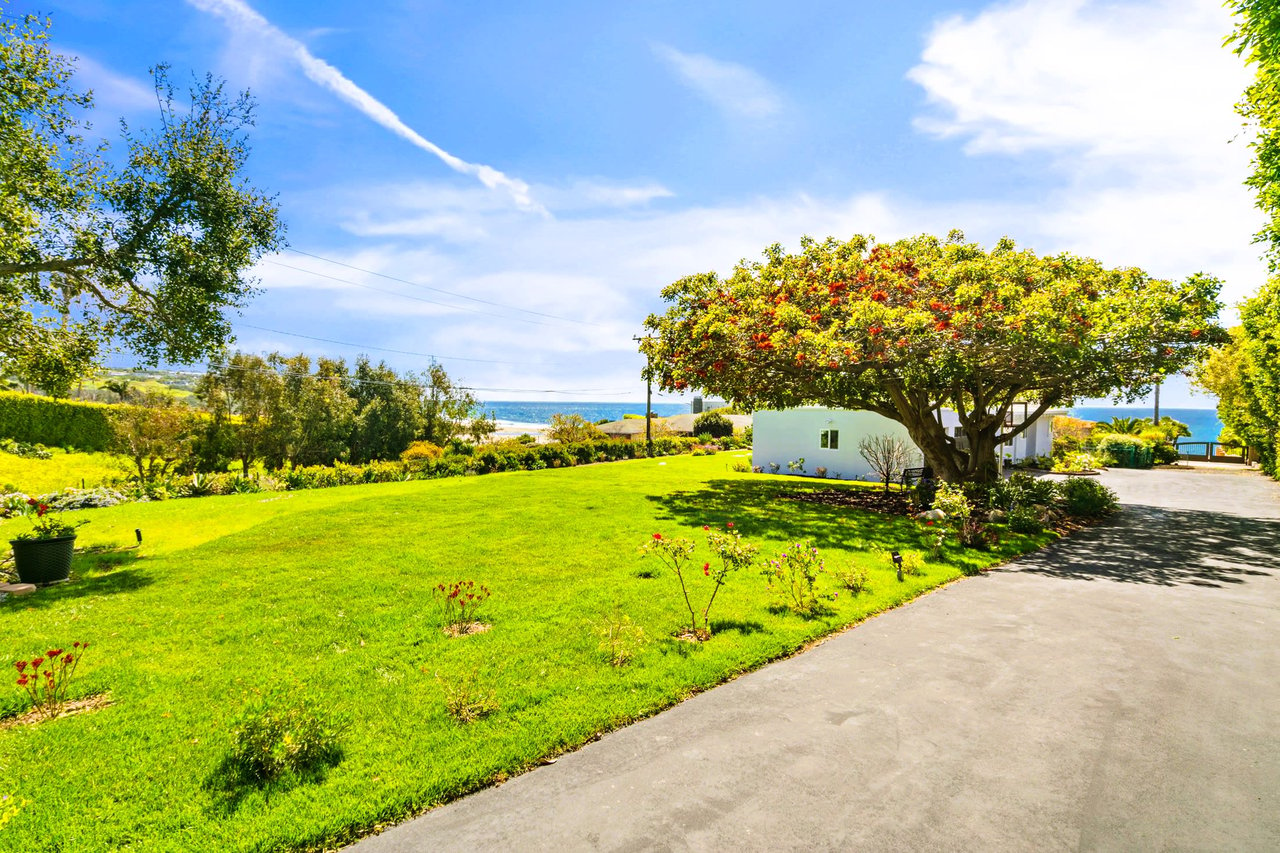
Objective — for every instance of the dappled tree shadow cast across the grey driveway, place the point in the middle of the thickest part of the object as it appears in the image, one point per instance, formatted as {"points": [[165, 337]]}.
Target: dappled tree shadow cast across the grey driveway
{"points": [[1167, 548]]}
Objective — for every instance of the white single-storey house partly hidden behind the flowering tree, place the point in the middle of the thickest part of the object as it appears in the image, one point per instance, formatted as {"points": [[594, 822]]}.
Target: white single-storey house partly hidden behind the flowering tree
{"points": [[829, 439]]}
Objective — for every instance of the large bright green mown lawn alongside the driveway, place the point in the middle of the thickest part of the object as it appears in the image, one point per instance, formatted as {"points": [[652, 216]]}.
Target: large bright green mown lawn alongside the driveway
{"points": [[327, 595]]}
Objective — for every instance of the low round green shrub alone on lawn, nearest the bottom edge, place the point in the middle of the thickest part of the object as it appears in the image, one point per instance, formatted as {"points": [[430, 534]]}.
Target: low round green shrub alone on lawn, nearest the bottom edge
{"points": [[271, 741]]}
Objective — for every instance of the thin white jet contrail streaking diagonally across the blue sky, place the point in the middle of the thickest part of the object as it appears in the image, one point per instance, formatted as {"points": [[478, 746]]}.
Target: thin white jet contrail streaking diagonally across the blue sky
{"points": [[241, 15]]}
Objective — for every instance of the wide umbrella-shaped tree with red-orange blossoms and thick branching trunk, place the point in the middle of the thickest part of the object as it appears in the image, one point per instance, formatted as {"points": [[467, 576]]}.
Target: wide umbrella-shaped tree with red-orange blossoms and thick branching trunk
{"points": [[909, 329]]}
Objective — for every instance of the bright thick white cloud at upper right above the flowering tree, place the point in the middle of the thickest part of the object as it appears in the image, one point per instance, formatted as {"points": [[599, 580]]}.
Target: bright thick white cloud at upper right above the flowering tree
{"points": [[1135, 107]]}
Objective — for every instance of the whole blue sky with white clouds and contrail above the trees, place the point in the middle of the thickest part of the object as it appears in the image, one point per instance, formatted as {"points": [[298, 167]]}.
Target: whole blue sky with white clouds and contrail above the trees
{"points": [[560, 163]]}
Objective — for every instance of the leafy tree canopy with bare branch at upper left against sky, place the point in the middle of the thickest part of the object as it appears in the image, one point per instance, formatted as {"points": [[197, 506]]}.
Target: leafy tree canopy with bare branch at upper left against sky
{"points": [[149, 253]]}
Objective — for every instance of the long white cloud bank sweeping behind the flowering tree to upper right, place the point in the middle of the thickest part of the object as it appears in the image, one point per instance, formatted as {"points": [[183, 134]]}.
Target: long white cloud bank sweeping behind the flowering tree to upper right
{"points": [[1158, 193]]}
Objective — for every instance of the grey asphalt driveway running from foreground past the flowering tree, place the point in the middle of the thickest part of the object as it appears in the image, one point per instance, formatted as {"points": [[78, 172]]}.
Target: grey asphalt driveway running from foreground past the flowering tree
{"points": [[1119, 691]]}
